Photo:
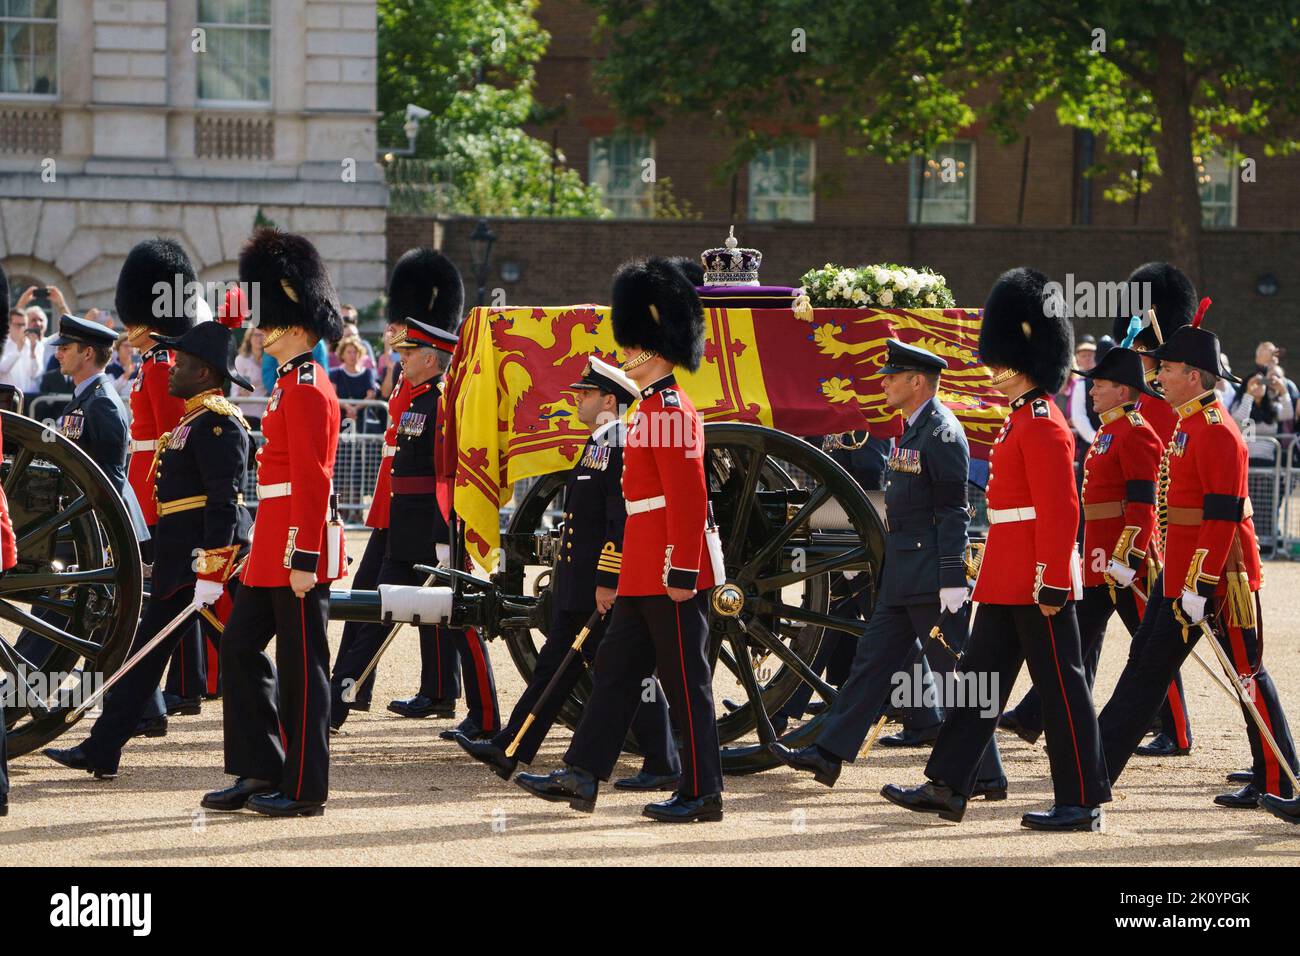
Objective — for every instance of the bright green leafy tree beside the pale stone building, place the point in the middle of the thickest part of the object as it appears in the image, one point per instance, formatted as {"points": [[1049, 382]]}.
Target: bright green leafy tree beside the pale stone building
{"points": [[471, 64]]}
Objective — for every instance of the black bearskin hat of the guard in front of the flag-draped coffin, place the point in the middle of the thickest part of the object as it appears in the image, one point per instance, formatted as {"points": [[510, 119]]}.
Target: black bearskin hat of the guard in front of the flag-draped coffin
{"points": [[656, 308]]}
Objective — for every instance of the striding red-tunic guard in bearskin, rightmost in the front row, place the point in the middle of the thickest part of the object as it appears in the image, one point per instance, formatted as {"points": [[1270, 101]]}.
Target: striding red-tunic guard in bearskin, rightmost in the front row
{"points": [[1029, 579]]}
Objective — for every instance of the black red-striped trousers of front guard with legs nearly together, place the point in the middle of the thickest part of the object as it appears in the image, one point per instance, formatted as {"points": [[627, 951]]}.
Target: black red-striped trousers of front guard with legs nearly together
{"points": [[278, 715]]}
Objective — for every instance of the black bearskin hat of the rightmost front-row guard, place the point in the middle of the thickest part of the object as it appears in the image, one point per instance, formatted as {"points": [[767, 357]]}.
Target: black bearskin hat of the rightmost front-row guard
{"points": [[1025, 328]]}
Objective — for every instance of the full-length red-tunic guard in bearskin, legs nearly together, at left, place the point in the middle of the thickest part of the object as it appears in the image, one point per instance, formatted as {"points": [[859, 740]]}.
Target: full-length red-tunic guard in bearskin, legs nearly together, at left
{"points": [[278, 717]]}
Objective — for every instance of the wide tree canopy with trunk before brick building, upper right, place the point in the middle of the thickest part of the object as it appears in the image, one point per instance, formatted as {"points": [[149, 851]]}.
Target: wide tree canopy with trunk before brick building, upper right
{"points": [[1162, 81]]}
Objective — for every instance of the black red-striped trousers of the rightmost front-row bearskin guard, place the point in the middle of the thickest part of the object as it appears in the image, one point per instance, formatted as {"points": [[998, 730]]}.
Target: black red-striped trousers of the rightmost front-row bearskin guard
{"points": [[1004, 638]]}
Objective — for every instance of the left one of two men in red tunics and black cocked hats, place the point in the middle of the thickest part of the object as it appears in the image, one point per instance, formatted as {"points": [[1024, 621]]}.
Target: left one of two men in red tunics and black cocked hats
{"points": [[1121, 557]]}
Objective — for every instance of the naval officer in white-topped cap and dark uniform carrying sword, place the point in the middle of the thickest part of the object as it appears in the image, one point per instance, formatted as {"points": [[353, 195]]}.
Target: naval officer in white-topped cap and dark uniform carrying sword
{"points": [[587, 579]]}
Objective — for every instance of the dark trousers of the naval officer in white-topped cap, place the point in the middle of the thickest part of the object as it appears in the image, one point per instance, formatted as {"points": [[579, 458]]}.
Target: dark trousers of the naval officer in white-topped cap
{"points": [[648, 725]]}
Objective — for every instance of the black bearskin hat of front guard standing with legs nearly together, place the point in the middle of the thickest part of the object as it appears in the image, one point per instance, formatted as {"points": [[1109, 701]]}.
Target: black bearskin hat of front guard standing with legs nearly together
{"points": [[293, 287]]}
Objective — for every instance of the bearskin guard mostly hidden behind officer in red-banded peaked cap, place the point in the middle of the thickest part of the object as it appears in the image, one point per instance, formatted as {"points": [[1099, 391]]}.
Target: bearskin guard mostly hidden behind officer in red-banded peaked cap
{"points": [[426, 287]]}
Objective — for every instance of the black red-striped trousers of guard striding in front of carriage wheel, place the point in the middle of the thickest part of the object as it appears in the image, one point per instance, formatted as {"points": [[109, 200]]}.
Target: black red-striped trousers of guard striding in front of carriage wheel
{"points": [[653, 634]]}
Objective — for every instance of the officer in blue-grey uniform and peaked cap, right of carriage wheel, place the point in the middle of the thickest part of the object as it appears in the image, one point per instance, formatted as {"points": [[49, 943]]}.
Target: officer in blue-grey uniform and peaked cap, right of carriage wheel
{"points": [[922, 578]]}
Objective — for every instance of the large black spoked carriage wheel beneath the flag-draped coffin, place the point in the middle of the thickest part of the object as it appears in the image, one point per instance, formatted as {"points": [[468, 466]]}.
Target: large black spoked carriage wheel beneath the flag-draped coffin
{"points": [[792, 522]]}
